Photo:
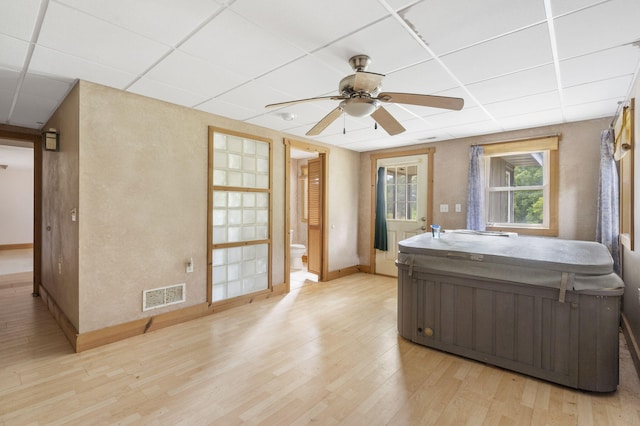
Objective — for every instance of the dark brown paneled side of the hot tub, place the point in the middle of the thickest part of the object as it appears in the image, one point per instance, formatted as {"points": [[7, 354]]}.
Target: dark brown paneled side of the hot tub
{"points": [[520, 327]]}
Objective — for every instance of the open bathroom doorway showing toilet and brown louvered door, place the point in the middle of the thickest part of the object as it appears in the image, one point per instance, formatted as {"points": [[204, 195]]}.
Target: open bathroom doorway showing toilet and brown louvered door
{"points": [[306, 210]]}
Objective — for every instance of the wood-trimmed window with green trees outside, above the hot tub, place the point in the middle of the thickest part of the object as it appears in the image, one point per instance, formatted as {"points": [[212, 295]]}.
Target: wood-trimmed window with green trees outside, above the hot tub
{"points": [[521, 184]]}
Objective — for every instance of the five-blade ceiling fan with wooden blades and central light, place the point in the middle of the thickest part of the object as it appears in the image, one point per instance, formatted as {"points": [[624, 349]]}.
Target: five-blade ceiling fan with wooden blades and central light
{"points": [[360, 96]]}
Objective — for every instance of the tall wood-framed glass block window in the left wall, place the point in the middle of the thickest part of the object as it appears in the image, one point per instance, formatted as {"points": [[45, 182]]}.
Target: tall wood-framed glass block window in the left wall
{"points": [[240, 202]]}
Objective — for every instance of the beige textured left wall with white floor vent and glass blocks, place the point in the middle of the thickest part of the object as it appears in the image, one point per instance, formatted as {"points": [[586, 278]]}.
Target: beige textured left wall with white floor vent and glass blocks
{"points": [[136, 169]]}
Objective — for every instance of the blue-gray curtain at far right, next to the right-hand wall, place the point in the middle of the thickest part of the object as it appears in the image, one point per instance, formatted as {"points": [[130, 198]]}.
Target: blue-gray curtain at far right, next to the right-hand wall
{"points": [[608, 215]]}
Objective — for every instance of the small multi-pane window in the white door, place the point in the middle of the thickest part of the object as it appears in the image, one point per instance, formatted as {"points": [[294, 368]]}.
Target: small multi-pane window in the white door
{"points": [[402, 192]]}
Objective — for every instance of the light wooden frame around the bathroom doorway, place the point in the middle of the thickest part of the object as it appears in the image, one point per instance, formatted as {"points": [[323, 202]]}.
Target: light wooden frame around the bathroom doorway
{"points": [[321, 151]]}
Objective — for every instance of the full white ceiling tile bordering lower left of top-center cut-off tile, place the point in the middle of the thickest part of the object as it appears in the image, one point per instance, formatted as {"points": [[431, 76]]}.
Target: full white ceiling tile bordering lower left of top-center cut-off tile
{"points": [[240, 46]]}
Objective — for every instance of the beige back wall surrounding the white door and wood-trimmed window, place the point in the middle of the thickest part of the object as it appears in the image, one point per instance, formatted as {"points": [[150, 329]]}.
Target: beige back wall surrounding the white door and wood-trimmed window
{"points": [[579, 164]]}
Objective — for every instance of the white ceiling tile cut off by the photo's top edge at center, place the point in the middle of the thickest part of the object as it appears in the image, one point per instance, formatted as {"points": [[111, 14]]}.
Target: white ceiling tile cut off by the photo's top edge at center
{"points": [[310, 24]]}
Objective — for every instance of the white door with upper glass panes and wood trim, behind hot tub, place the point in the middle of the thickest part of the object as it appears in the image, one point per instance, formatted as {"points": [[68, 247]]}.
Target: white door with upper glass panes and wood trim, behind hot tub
{"points": [[408, 199]]}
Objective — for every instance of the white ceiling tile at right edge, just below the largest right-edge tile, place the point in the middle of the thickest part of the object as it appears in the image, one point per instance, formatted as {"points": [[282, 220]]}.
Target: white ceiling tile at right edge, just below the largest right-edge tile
{"points": [[598, 66]]}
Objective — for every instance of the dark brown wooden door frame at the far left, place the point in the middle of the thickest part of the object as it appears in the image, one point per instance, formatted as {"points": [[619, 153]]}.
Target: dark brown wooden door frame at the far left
{"points": [[34, 138]]}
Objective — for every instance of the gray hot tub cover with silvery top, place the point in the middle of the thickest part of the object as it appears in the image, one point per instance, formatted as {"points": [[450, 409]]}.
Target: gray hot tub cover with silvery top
{"points": [[539, 261]]}
